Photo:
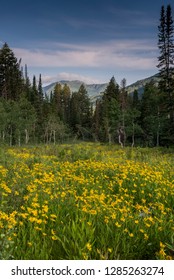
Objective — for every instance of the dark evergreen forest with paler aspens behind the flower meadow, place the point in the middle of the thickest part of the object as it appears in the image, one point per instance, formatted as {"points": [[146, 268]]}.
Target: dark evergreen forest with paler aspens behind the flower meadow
{"points": [[27, 116]]}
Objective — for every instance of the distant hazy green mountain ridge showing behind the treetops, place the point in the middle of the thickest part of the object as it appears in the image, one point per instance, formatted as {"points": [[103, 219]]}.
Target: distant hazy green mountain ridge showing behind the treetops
{"points": [[96, 90]]}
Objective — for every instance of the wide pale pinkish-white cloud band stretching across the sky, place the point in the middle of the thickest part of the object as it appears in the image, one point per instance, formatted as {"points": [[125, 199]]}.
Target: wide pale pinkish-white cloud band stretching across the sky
{"points": [[126, 54]]}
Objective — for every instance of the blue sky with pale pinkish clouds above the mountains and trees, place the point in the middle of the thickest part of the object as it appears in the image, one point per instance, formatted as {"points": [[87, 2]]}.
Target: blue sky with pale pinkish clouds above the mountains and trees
{"points": [[86, 40]]}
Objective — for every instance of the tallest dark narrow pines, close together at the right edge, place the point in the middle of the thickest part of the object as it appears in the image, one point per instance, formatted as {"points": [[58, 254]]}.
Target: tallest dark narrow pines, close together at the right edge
{"points": [[166, 71]]}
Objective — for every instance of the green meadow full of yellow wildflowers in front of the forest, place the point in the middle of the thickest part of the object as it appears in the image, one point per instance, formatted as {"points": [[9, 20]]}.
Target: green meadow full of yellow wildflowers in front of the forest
{"points": [[86, 201]]}
